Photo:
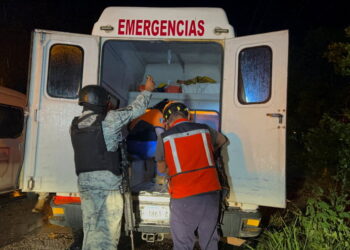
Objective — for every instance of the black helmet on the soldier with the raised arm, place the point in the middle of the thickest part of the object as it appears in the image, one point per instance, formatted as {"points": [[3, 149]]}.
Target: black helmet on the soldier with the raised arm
{"points": [[93, 95]]}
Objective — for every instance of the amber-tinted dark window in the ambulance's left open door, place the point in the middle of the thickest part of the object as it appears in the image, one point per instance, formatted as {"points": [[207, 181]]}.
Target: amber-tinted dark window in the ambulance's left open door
{"points": [[65, 71]]}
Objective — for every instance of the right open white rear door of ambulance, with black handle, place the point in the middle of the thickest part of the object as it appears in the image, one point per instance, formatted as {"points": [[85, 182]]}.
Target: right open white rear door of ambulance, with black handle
{"points": [[254, 117]]}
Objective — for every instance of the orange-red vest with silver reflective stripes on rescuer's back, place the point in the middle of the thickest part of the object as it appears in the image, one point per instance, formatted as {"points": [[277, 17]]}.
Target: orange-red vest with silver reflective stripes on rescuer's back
{"points": [[188, 152]]}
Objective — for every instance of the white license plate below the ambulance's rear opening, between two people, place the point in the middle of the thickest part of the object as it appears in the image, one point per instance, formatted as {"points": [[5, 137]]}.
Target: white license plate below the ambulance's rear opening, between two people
{"points": [[151, 214]]}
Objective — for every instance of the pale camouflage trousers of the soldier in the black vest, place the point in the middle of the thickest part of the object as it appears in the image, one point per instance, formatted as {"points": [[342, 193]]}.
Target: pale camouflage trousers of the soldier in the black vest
{"points": [[102, 210]]}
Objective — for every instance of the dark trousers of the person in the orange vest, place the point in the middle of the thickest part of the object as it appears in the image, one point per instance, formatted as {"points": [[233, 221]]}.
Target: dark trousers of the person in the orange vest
{"points": [[195, 213]]}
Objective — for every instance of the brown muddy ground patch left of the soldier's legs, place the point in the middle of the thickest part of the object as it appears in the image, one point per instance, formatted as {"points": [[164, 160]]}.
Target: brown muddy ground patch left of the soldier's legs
{"points": [[22, 229]]}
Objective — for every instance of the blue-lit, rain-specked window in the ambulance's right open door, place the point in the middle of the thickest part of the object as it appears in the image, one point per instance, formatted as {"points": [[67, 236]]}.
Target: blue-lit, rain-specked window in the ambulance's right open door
{"points": [[254, 77]]}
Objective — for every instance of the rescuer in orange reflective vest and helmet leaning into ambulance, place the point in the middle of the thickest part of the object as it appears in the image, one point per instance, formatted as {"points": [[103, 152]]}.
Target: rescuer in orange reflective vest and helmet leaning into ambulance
{"points": [[185, 152]]}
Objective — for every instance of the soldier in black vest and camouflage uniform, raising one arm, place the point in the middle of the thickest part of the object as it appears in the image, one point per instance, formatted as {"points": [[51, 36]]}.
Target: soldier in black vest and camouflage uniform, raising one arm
{"points": [[95, 136]]}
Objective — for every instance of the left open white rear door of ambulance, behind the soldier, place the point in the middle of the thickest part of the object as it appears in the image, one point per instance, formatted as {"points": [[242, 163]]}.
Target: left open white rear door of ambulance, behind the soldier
{"points": [[61, 64]]}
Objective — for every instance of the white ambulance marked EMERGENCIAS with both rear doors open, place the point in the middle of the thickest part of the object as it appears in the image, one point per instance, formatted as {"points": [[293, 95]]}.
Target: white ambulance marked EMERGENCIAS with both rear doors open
{"points": [[244, 98]]}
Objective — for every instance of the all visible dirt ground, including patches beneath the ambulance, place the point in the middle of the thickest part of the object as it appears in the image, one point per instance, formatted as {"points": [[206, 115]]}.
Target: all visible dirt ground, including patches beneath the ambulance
{"points": [[21, 229]]}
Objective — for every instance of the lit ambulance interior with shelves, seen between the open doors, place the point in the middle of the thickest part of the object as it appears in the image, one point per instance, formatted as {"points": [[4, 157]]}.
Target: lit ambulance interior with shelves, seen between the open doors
{"points": [[190, 72]]}
